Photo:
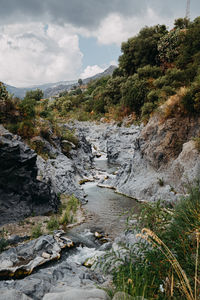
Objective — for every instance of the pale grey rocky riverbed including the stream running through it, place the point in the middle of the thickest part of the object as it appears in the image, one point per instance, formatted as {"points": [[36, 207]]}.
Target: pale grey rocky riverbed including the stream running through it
{"points": [[130, 161]]}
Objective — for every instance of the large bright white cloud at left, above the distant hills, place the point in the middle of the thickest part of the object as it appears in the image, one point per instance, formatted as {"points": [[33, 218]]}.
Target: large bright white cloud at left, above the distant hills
{"points": [[32, 54]]}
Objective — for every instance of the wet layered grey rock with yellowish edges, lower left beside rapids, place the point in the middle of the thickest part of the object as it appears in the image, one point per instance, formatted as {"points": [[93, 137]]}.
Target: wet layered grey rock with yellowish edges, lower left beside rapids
{"points": [[22, 260]]}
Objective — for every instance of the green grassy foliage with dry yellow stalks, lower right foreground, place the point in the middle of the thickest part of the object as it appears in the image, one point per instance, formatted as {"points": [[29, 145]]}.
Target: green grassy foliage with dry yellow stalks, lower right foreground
{"points": [[167, 268]]}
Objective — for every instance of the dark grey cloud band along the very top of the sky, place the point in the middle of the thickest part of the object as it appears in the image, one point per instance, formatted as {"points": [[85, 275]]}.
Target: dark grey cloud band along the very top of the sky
{"points": [[89, 13]]}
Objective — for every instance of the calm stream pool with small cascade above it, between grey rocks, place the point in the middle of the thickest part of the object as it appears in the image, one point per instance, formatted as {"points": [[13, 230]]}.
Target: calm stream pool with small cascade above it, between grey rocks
{"points": [[107, 210]]}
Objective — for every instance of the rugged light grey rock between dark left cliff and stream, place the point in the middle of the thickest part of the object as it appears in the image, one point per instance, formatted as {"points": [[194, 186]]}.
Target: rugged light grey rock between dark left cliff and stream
{"points": [[64, 173]]}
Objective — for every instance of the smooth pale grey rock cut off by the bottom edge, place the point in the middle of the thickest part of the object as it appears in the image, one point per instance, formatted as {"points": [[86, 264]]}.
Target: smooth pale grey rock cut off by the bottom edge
{"points": [[78, 293]]}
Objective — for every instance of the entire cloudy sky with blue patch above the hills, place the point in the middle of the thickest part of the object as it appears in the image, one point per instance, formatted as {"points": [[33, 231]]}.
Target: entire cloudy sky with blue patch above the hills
{"points": [[45, 41]]}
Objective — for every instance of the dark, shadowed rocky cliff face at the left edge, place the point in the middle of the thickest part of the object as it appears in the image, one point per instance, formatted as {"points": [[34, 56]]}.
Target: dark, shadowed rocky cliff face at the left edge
{"points": [[21, 194]]}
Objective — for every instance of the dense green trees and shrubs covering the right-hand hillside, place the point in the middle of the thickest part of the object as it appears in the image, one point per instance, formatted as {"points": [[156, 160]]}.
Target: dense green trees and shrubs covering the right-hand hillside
{"points": [[154, 65]]}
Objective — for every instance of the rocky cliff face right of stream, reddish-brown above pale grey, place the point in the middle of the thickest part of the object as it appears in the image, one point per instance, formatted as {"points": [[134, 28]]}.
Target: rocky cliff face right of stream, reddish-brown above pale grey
{"points": [[163, 161]]}
